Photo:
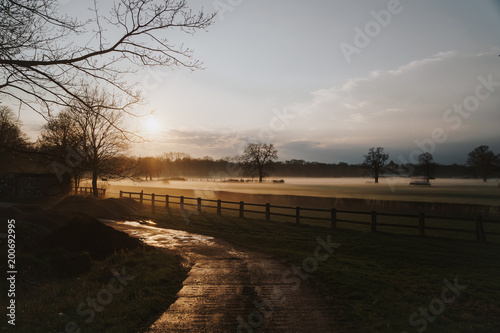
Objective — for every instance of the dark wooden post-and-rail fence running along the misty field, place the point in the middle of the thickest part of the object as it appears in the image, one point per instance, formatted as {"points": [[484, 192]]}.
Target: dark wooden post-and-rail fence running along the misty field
{"points": [[329, 215]]}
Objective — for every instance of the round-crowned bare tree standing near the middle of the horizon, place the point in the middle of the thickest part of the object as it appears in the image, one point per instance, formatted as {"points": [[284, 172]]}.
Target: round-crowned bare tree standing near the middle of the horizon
{"points": [[259, 156]]}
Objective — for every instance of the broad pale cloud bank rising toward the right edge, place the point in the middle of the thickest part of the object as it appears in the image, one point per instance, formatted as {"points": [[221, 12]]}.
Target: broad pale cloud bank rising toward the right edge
{"points": [[397, 107]]}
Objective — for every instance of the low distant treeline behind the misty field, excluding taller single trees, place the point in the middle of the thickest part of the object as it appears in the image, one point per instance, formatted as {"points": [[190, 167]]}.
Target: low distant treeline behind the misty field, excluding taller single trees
{"points": [[173, 165]]}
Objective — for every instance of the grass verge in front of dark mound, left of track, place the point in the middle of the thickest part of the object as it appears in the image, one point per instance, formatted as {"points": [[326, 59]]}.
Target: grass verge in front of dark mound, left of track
{"points": [[51, 303]]}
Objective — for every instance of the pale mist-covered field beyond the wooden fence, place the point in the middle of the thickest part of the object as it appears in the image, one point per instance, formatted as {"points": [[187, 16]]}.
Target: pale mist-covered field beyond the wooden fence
{"points": [[463, 191]]}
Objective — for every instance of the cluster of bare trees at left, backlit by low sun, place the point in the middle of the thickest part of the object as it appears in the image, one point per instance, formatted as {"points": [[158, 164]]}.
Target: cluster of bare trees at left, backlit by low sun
{"points": [[79, 141]]}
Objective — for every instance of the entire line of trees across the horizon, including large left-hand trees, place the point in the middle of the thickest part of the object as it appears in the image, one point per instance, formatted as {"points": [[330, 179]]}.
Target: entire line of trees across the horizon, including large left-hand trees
{"points": [[89, 142]]}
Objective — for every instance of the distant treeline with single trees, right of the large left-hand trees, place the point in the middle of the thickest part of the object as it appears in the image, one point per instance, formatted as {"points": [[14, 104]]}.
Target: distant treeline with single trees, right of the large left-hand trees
{"points": [[259, 160]]}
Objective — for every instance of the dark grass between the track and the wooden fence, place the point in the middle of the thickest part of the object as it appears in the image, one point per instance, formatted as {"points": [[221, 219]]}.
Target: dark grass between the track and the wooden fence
{"points": [[378, 280]]}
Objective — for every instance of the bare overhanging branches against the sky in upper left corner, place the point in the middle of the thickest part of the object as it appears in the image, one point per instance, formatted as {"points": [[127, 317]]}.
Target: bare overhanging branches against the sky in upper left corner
{"points": [[43, 52]]}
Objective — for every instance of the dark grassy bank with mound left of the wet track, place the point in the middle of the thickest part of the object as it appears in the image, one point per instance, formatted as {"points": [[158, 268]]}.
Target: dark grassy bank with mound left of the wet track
{"points": [[75, 274]]}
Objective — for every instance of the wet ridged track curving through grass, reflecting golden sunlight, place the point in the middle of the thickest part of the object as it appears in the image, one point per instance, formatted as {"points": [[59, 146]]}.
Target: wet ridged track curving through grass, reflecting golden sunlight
{"points": [[231, 291]]}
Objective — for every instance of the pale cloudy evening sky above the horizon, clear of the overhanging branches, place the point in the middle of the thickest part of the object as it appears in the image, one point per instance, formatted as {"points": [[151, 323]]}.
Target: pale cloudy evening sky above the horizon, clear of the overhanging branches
{"points": [[326, 80]]}
